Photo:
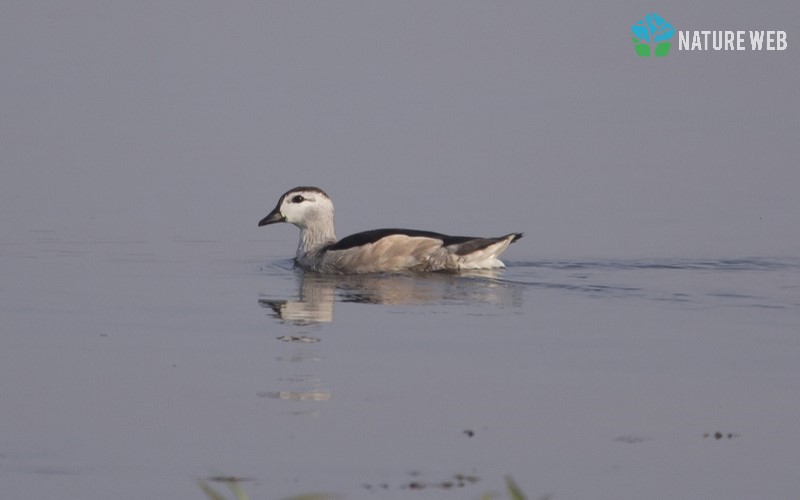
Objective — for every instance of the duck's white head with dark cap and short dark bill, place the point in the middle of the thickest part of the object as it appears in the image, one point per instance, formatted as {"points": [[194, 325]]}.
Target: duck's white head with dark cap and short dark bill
{"points": [[305, 207]]}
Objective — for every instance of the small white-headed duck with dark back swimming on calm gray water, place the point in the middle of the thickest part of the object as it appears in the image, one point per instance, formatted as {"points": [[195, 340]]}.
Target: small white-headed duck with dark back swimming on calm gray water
{"points": [[379, 250]]}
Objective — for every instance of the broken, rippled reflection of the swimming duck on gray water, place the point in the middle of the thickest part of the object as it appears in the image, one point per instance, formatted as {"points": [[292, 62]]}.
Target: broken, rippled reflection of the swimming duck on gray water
{"points": [[317, 294]]}
